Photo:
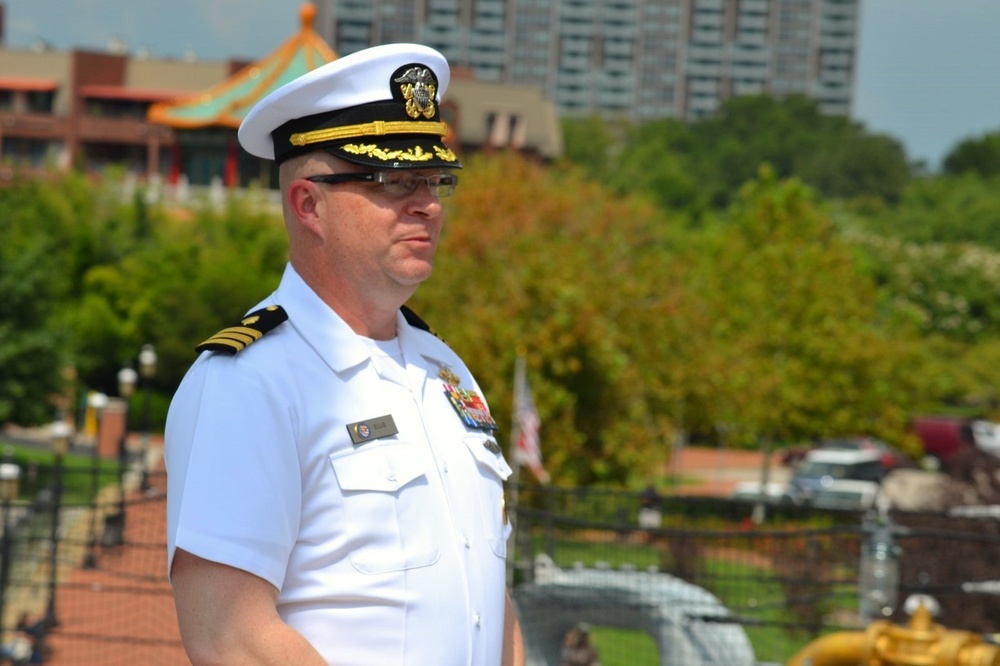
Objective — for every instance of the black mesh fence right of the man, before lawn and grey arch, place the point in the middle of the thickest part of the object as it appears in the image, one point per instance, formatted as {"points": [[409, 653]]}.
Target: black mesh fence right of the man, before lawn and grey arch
{"points": [[707, 584]]}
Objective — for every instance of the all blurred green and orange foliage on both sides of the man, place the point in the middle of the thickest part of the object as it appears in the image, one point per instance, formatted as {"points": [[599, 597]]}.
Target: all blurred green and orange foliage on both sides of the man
{"points": [[769, 274]]}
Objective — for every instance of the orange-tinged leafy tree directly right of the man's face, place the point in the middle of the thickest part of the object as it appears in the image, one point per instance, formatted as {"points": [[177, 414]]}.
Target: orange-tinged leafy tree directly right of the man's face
{"points": [[545, 262]]}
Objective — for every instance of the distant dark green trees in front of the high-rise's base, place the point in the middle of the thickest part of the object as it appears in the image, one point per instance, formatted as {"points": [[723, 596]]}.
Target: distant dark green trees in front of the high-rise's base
{"points": [[702, 165]]}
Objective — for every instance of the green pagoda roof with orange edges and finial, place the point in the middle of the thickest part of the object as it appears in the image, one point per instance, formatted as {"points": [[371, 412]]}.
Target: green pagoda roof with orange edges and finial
{"points": [[227, 103]]}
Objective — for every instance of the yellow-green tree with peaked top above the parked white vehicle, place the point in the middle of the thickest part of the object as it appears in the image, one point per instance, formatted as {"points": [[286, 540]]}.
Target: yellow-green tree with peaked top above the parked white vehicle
{"points": [[797, 347]]}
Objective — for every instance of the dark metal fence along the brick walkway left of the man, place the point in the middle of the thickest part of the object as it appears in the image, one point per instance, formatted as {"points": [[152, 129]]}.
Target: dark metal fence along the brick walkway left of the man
{"points": [[87, 574]]}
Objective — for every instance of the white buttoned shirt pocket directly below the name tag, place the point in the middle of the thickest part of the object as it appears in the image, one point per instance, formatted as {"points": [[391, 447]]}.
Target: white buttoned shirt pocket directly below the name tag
{"points": [[386, 495]]}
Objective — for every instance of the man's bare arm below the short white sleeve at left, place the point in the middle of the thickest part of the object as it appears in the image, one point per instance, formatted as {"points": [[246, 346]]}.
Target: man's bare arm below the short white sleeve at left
{"points": [[228, 616]]}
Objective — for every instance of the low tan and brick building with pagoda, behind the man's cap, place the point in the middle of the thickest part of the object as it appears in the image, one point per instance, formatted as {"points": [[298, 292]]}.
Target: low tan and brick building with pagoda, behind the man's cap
{"points": [[176, 119]]}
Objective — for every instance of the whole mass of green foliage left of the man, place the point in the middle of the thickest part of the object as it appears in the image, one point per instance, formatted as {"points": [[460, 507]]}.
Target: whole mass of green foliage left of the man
{"points": [[87, 278]]}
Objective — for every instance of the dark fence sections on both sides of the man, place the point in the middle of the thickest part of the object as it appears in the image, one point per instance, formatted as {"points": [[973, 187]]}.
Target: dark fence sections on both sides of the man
{"points": [[85, 578]]}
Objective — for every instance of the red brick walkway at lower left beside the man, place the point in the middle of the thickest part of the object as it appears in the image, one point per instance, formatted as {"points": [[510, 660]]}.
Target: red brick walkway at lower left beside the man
{"points": [[119, 612]]}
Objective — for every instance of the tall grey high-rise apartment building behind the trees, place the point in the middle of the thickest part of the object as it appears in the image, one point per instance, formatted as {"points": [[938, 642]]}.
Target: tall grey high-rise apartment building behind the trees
{"points": [[638, 59]]}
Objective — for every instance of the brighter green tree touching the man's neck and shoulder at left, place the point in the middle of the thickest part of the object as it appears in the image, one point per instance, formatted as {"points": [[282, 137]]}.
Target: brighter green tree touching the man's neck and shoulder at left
{"points": [[196, 272]]}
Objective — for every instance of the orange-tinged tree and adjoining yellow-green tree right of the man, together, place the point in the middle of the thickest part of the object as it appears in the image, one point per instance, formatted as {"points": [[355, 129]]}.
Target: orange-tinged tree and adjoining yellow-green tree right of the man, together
{"points": [[763, 323]]}
